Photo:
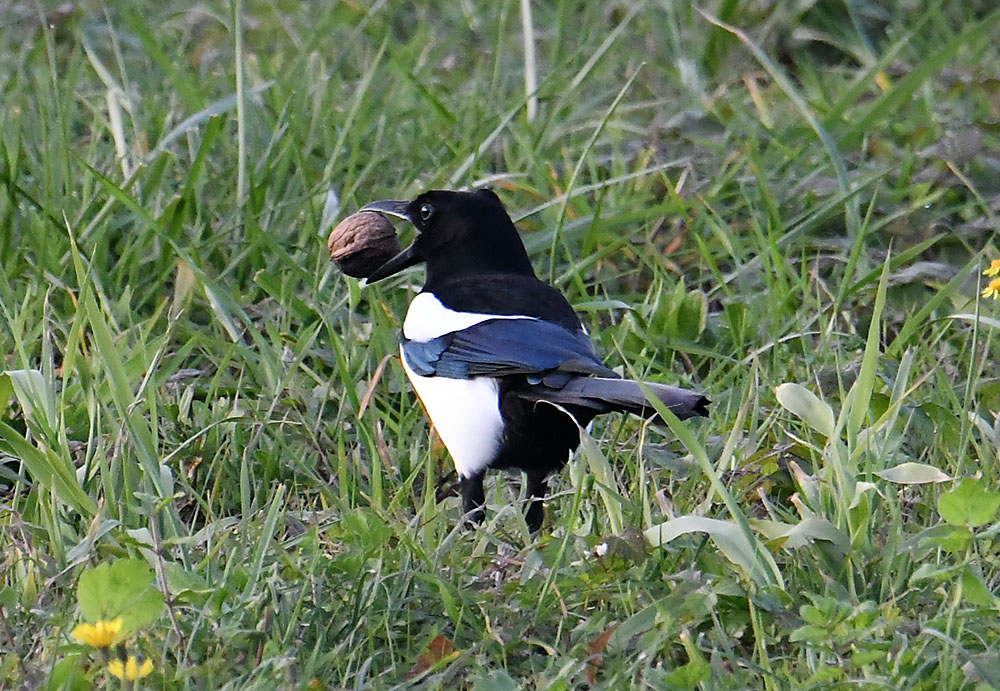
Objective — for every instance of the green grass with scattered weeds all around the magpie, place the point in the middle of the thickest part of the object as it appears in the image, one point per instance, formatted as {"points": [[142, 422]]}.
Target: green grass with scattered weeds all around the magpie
{"points": [[786, 205]]}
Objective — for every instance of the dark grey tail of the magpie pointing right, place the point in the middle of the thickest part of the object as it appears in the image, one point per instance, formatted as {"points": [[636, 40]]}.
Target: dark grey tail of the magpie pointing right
{"points": [[604, 395]]}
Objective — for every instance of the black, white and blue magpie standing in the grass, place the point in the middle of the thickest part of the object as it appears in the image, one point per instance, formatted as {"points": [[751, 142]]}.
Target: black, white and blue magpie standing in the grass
{"points": [[499, 359]]}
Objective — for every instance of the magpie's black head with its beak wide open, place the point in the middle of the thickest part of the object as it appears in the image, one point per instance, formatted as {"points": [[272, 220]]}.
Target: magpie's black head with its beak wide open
{"points": [[457, 233]]}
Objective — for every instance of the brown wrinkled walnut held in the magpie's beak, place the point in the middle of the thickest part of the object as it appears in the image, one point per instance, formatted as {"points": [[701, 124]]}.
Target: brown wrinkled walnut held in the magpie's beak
{"points": [[363, 242]]}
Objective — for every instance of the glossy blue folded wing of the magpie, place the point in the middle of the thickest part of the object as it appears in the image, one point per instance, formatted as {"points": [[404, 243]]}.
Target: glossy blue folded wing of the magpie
{"points": [[501, 347]]}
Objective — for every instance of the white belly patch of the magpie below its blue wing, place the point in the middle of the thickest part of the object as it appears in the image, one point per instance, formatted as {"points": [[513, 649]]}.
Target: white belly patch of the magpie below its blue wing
{"points": [[466, 415]]}
